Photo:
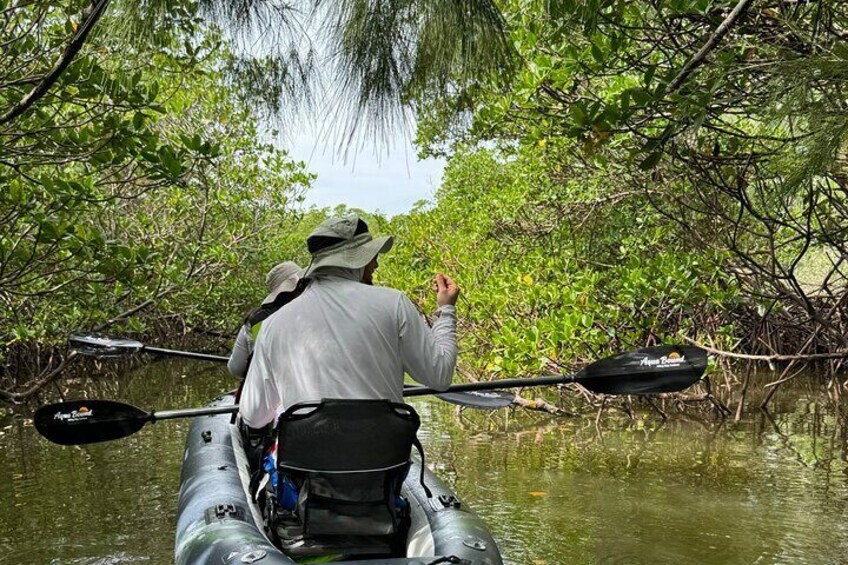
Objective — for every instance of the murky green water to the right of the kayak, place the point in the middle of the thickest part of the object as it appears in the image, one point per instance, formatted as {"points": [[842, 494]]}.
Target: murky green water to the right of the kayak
{"points": [[767, 490]]}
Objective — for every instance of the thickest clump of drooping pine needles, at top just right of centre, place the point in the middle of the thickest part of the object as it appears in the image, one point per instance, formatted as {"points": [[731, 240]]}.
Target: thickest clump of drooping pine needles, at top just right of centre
{"points": [[388, 51]]}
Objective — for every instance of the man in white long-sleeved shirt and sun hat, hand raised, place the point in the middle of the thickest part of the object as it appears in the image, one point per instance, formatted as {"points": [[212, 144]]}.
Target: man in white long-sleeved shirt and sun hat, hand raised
{"points": [[344, 337]]}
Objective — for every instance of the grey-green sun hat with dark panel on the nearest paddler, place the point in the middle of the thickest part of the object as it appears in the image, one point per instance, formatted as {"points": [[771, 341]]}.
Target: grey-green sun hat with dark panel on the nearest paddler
{"points": [[344, 242]]}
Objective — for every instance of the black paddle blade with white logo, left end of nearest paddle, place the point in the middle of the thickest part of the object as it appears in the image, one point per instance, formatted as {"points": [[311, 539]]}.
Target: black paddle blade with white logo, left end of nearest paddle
{"points": [[88, 421]]}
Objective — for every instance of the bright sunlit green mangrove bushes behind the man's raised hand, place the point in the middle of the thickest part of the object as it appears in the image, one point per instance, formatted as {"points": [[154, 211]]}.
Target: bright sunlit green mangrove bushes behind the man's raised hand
{"points": [[554, 273]]}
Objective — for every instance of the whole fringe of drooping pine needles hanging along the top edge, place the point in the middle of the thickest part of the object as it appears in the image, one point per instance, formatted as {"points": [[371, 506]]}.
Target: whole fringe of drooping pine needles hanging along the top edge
{"points": [[356, 63]]}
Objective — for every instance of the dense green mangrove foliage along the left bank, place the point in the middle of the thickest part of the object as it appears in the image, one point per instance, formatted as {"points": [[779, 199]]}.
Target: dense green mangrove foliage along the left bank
{"points": [[135, 190]]}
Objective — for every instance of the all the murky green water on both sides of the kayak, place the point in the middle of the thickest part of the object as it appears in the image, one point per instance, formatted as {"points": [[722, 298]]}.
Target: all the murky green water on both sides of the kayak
{"points": [[552, 491]]}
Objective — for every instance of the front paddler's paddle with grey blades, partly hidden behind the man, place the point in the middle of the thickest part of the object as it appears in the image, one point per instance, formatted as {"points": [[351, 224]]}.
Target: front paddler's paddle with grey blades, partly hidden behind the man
{"points": [[94, 345]]}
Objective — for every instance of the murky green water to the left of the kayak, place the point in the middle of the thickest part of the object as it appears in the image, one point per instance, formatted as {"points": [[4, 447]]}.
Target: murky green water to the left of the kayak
{"points": [[102, 503]]}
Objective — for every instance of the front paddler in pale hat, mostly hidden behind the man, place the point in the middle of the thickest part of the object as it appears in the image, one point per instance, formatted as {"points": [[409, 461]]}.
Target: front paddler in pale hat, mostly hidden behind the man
{"points": [[281, 281]]}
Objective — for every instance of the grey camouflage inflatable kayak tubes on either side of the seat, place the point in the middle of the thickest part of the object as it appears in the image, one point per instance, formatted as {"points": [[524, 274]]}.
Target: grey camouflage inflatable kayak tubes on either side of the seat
{"points": [[218, 523]]}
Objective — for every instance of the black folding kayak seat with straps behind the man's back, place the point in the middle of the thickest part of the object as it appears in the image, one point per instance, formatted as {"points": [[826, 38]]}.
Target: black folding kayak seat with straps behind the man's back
{"points": [[348, 459]]}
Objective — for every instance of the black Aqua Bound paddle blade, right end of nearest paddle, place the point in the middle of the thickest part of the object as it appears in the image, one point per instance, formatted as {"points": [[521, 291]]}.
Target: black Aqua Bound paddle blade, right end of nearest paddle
{"points": [[650, 370]]}
